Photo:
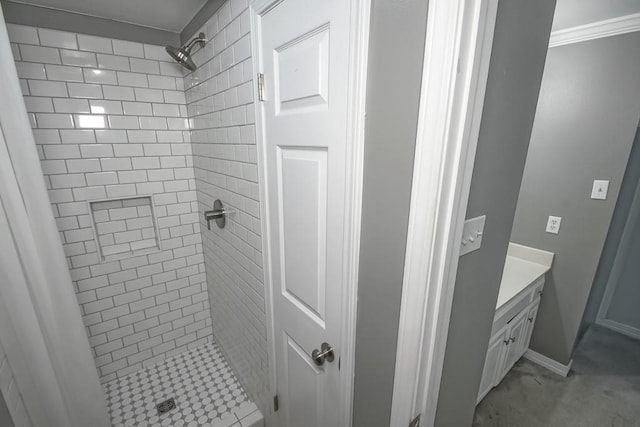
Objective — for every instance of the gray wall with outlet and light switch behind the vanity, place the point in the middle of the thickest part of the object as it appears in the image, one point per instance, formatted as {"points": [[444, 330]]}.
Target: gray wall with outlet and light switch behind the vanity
{"points": [[584, 128]]}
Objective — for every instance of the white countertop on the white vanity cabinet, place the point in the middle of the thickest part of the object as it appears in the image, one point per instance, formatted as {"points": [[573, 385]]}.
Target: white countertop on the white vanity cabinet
{"points": [[522, 267]]}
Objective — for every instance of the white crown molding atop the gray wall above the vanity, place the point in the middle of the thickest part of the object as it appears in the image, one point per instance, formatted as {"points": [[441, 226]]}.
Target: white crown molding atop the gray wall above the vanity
{"points": [[596, 30]]}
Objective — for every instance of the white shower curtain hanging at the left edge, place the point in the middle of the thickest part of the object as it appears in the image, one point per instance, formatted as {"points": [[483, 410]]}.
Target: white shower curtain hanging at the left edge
{"points": [[47, 345]]}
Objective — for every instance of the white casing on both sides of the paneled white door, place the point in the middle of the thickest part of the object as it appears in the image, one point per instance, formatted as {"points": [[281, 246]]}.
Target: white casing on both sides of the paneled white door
{"points": [[358, 54]]}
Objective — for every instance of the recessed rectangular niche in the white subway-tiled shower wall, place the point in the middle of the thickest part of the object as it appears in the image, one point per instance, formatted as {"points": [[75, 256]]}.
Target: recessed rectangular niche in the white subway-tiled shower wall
{"points": [[124, 227]]}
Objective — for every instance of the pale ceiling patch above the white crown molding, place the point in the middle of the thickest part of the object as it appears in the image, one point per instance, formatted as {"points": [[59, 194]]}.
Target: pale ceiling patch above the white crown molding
{"points": [[571, 13]]}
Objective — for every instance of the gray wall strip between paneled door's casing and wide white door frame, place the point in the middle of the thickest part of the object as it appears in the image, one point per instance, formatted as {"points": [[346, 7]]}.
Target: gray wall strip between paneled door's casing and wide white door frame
{"points": [[396, 50]]}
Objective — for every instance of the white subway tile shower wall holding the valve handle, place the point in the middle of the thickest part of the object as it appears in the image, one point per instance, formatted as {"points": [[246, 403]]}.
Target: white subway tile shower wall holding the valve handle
{"points": [[220, 107]]}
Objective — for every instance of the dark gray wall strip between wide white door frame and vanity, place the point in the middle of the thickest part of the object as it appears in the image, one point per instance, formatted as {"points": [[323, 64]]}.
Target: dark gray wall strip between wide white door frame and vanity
{"points": [[517, 61]]}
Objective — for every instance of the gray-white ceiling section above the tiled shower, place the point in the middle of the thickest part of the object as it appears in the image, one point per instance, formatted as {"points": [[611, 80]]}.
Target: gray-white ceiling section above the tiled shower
{"points": [[169, 15]]}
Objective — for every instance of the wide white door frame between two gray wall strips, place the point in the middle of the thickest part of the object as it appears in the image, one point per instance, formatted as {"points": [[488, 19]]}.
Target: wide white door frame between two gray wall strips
{"points": [[456, 65]]}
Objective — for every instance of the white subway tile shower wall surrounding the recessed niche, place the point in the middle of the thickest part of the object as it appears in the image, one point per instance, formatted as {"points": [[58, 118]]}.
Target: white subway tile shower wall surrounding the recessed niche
{"points": [[110, 122]]}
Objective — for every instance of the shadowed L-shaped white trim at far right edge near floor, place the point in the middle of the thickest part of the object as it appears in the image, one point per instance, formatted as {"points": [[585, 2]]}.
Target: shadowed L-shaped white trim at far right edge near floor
{"points": [[616, 271]]}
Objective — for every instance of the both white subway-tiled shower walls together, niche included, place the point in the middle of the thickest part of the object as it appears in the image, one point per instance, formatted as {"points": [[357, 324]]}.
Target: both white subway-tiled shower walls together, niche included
{"points": [[133, 151]]}
